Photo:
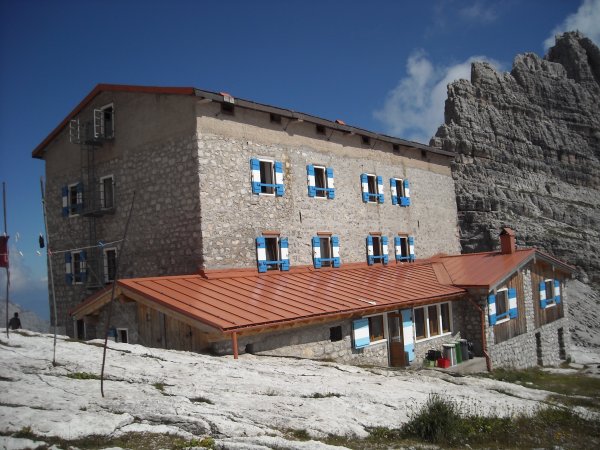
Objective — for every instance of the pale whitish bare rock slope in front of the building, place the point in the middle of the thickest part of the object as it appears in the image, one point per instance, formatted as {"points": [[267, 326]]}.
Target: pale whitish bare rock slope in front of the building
{"points": [[252, 400]]}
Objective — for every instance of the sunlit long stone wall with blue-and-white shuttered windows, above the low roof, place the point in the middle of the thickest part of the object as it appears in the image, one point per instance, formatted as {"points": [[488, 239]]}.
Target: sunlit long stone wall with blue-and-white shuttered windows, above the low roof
{"points": [[232, 217]]}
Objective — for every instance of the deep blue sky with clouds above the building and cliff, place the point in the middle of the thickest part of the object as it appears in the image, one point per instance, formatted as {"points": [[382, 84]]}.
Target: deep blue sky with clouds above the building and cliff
{"points": [[379, 65]]}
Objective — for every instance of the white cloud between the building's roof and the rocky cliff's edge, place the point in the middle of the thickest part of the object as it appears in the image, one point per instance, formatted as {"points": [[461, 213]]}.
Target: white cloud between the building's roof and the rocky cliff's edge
{"points": [[414, 109]]}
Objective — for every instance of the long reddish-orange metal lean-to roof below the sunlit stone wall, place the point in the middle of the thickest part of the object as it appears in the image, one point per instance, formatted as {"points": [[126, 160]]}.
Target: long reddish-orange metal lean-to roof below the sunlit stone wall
{"points": [[231, 303]]}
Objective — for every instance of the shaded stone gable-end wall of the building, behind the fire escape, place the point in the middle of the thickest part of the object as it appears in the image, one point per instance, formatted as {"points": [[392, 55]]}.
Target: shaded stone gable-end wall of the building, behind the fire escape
{"points": [[161, 167]]}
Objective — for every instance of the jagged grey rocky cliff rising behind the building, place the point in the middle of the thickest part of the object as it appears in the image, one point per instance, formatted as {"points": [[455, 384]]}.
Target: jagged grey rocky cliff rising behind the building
{"points": [[528, 153]]}
